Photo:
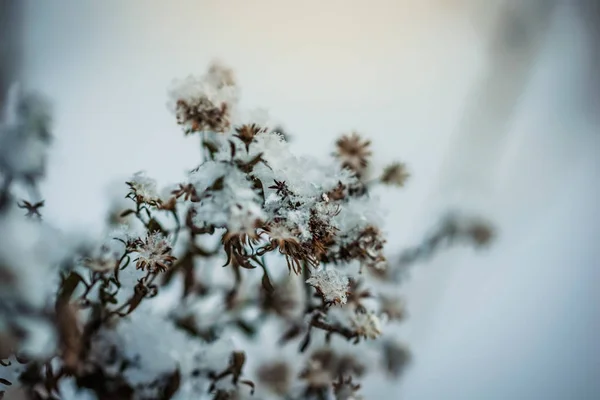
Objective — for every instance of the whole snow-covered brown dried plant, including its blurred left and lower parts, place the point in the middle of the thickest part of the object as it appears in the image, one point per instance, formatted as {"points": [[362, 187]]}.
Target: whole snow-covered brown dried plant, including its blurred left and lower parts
{"points": [[262, 275]]}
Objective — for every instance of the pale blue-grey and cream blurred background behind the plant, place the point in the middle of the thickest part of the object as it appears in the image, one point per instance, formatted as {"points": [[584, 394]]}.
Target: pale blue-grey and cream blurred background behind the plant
{"points": [[494, 105]]}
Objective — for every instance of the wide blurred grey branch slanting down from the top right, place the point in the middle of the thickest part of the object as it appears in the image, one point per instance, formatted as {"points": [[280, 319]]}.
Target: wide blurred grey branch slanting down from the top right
{"points": [[515, 43]]}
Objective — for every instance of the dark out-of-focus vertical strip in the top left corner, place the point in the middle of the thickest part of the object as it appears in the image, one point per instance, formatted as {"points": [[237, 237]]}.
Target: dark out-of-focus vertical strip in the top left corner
{"points": [[10, 44]]}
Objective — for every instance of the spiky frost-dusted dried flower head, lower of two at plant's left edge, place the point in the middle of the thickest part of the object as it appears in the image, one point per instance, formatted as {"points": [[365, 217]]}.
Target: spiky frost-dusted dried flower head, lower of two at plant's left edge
{"points": [[154, 253]]}
